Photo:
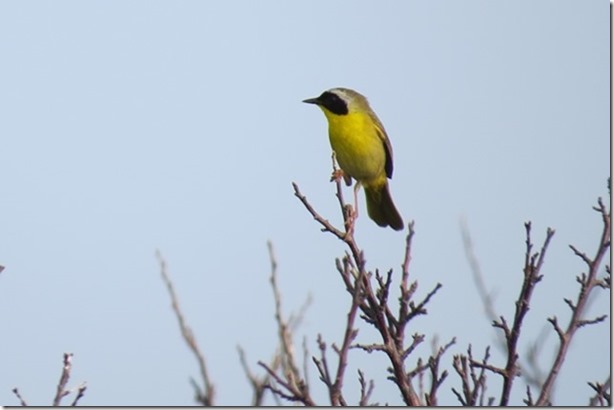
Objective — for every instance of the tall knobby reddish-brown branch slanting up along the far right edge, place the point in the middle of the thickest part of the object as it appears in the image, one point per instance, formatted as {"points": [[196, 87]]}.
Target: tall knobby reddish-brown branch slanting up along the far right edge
{"points": [[588, 282]]}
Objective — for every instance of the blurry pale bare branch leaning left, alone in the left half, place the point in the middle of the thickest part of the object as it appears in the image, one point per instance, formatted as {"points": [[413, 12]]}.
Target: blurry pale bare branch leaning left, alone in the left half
{"points": [[206, 395]]}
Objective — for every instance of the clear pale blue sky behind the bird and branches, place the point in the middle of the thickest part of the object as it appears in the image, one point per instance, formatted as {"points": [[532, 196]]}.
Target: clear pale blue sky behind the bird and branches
{"points": [[134, 126]]}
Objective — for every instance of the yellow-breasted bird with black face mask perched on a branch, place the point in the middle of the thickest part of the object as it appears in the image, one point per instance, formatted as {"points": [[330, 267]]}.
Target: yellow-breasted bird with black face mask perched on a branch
{"points": [[362, 150]]}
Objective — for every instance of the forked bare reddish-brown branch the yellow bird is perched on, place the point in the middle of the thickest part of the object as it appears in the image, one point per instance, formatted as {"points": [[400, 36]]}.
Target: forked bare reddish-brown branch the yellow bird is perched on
{"points": [[373, 303]]}
